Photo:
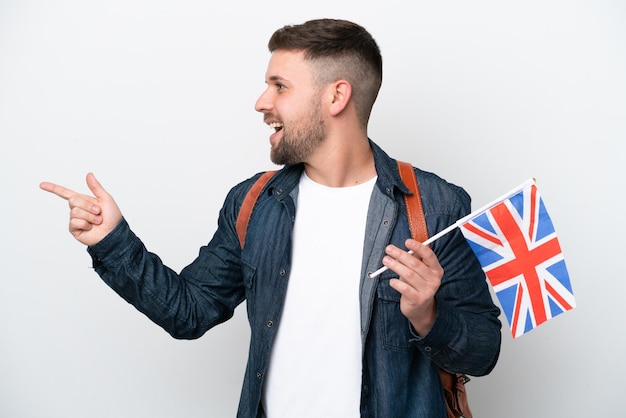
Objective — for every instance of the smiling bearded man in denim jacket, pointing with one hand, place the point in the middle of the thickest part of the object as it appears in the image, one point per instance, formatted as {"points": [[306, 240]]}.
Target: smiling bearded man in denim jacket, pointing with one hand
{"points": [[327, 340]]}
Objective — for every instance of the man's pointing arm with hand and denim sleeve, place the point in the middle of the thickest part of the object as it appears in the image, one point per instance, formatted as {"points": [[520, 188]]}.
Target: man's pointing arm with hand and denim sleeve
{"points": [[187, 304]]}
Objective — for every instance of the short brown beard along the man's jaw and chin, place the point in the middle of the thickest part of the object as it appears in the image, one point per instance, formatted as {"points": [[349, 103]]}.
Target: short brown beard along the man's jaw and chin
{"points": [[301, 139]]}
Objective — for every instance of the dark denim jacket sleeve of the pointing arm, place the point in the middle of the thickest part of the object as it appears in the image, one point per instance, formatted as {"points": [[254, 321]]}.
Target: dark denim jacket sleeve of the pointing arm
{"points": [[186, 305]]}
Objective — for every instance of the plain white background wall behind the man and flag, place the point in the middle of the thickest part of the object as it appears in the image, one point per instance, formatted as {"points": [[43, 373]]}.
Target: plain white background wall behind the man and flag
{"points": [[156, 98]]}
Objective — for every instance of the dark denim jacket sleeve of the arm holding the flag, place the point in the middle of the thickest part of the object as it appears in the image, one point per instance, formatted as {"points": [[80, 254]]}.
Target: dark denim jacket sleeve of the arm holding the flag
{"points": [[466, 335]]}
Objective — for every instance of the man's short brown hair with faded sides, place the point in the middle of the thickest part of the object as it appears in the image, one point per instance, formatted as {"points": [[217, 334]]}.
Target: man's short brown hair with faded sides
{"points": [[339, 49]]}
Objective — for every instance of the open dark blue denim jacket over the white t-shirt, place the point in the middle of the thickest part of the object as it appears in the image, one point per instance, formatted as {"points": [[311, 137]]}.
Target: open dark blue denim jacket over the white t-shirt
{"points": [[400, 369]]}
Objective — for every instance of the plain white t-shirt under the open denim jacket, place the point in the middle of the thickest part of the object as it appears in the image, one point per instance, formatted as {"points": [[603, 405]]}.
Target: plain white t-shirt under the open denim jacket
{"points": [[315, 365]]}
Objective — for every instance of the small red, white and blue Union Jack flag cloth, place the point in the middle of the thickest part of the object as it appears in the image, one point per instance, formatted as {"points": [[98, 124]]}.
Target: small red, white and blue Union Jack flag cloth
{"points": [[516, 244]]}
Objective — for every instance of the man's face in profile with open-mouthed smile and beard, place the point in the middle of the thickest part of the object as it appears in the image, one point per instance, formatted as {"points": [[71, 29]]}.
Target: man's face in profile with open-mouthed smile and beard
{"points": [[291, 105]]}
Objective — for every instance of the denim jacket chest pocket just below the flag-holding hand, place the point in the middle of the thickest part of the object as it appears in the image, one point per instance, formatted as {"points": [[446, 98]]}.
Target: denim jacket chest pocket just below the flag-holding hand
{"points": [[394, 326]]}
